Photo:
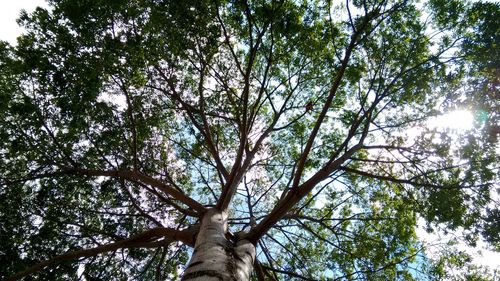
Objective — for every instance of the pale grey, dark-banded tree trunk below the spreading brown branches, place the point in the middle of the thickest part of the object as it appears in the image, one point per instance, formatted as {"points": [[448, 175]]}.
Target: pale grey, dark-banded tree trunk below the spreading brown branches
{"points": [[215, 257]]}
